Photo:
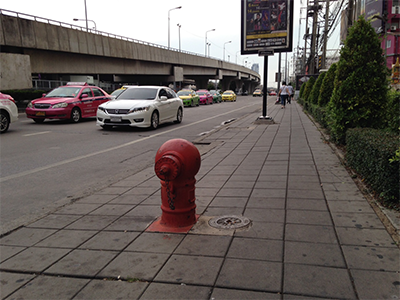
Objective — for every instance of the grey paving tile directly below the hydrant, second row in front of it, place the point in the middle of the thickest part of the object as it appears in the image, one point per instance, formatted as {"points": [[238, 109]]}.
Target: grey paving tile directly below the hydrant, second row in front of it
{"points": [[189, 269]]}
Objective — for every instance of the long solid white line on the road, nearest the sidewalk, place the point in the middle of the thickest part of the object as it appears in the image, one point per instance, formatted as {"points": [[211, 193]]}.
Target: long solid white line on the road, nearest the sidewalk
{"points": [[29, 172]]}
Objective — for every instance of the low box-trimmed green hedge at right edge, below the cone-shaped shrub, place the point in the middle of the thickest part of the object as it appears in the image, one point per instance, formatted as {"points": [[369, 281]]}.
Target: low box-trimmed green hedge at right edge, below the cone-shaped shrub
{"points": [[368, 152]]}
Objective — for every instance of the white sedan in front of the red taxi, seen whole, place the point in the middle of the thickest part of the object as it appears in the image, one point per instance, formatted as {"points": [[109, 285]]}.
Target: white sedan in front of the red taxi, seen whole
{"points": [[141, 106]]}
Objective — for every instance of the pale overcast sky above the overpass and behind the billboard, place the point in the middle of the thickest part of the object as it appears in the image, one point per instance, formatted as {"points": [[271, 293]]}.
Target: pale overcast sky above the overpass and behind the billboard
{"points": [[148, 21]]}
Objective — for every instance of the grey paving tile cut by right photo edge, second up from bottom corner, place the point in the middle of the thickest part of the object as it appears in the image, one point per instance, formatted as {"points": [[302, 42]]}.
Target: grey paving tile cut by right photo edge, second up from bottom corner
{"points": [[372, 258]]}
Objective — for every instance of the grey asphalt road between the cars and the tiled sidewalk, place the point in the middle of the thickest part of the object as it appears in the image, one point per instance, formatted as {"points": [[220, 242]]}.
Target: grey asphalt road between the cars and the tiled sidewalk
{"points": [[45, 166]]}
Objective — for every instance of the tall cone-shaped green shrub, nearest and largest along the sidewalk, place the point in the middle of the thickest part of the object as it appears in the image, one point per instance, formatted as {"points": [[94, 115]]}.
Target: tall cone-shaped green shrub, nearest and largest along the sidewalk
{"points": [[361, 85]]}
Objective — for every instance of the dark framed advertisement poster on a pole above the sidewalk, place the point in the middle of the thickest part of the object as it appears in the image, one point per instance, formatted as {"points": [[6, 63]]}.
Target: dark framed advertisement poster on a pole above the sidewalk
{"points": [[267, 24]]}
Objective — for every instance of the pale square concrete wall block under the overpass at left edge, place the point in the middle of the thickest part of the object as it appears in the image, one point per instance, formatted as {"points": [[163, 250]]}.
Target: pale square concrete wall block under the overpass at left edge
{"points": [[15, 71]]}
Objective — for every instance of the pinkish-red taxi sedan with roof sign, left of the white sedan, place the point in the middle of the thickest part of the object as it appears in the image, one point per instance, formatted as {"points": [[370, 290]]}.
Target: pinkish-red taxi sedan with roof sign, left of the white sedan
{"points": [[74, 101]]}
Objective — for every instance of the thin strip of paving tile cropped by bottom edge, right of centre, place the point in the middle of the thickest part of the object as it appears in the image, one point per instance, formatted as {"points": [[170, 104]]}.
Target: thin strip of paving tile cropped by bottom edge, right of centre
{"points": [[231, 294]]}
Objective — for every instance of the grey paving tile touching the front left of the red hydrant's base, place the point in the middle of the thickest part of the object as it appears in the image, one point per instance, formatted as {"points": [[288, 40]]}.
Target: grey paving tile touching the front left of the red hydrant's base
{"points": [[154, 242]]}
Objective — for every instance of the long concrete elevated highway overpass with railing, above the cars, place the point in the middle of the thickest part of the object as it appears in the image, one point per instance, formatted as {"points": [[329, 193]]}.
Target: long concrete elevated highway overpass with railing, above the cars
{"points": [[42, 49]]}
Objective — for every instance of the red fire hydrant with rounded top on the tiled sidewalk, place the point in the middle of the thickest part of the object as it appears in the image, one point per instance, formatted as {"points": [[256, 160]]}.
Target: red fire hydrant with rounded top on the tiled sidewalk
{"points": [[176, 163]]}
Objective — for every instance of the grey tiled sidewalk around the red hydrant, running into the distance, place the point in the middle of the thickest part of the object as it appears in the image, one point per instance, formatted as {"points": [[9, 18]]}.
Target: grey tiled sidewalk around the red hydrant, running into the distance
{"points": [[312, 235]]}
